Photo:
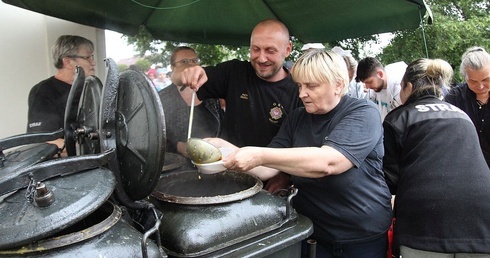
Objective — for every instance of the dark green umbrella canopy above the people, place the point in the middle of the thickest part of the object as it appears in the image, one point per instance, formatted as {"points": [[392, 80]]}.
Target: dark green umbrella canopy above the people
{"points": [[231, 21]]}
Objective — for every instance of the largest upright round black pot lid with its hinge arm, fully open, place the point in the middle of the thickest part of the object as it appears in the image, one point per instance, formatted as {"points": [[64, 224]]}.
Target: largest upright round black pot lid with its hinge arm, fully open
{"points": [[132, 123]]}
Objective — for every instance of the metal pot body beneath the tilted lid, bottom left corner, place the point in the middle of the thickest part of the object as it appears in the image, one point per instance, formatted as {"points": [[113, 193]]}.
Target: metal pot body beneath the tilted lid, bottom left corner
{"points": [[101, 234]]}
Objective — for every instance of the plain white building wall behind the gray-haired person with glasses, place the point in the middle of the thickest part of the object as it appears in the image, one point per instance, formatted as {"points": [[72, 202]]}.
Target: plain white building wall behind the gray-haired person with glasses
{"points": [[25, 51]]}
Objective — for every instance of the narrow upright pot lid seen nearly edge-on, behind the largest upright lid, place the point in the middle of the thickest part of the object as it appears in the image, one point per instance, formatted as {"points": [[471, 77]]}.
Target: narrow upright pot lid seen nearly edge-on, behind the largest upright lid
{"points": [[82, 115]]}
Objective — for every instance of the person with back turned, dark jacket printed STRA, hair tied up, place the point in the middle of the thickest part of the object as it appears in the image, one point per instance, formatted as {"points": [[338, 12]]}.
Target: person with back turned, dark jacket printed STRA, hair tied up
{"points": [[434, 166]]}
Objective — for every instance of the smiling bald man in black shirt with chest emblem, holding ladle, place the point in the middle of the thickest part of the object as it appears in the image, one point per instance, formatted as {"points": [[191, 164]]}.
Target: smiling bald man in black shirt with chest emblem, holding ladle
{"points": [[259, 93]]}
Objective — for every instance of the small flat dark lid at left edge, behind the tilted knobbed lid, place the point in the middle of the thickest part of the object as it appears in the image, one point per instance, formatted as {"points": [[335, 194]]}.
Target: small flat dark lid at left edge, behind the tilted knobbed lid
{"points": [[25, 156]]}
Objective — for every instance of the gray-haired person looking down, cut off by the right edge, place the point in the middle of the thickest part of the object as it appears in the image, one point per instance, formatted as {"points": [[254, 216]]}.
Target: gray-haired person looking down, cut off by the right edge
{"points": [[472, 96]]}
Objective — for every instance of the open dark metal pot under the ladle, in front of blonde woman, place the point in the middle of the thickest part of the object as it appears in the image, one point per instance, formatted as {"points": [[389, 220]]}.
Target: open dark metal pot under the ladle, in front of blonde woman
{"points": [[214, 214]]}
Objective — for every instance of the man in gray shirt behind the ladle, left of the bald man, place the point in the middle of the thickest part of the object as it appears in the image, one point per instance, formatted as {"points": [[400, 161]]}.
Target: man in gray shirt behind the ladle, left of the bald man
{"points": [[176, 102]]}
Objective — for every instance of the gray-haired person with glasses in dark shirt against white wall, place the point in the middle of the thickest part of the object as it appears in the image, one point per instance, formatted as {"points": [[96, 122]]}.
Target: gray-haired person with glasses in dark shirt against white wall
{"points": [[47, 99]]}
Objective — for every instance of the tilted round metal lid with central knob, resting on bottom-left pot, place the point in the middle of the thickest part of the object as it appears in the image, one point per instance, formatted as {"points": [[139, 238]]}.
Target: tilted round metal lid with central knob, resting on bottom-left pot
{"points": [[75, 196]]}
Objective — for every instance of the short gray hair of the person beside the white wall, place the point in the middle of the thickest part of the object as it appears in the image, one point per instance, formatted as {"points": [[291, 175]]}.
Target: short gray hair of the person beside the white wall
{"points": [[68, 45]]}
